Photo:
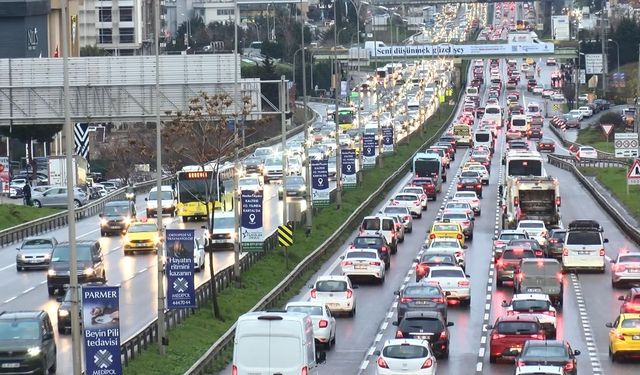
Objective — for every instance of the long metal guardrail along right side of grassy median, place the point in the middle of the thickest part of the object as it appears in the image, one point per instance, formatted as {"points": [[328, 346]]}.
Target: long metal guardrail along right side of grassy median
{"points": [[205, 363]]}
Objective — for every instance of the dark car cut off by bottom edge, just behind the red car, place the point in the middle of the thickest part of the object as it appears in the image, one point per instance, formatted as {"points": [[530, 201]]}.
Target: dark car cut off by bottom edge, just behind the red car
{"points": [[549, 352]]}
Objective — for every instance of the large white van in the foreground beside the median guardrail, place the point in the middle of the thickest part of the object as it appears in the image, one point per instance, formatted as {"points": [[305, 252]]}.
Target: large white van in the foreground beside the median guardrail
{"points": [[274, 343]]}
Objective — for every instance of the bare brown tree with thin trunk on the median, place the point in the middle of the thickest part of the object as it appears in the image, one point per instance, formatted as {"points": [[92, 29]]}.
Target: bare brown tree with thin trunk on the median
{"points": [[202, 136]]}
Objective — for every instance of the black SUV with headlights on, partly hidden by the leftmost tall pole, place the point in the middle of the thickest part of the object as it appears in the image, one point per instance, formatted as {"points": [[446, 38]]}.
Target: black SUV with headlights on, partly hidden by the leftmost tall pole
{"points": [[90, 265]]}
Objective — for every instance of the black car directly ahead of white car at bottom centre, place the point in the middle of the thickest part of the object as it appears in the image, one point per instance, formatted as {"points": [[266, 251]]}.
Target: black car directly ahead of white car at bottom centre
{"points": [[426, 325]]}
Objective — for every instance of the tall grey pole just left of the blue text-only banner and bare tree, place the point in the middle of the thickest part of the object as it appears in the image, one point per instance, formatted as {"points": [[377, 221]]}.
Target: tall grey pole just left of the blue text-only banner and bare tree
{"points": [[162, 335]]}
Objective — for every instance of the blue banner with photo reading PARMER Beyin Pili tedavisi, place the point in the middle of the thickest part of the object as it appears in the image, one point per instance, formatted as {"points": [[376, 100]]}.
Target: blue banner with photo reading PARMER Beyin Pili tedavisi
{"points": [[101, 329]]}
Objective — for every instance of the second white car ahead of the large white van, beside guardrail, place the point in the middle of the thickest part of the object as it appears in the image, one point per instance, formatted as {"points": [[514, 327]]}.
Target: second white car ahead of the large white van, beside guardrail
{"points": [[336, 292]]}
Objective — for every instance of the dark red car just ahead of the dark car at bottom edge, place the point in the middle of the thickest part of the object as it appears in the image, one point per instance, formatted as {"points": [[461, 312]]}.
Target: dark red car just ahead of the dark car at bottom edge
{"points": [[509, 333]]}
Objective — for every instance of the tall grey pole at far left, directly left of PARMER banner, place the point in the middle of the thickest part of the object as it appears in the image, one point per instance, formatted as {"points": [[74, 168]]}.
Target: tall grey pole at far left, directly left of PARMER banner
{"points": [[71, 212]]}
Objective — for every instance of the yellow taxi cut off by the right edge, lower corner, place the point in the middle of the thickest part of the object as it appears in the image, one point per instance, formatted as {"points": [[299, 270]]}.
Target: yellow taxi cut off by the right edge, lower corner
{"points": [[624, 336]]}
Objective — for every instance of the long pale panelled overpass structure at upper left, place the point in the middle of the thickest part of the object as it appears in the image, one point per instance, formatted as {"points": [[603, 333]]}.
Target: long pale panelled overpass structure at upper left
{"points": [[114, 89]]}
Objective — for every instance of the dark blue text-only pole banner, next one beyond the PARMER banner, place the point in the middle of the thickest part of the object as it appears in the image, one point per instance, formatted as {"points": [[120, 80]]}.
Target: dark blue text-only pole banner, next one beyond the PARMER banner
{"points": [[180, 274]]}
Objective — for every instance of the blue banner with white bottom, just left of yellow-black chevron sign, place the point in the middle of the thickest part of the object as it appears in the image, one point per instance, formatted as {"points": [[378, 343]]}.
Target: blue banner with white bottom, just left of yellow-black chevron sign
{"points": [[252, 234]]}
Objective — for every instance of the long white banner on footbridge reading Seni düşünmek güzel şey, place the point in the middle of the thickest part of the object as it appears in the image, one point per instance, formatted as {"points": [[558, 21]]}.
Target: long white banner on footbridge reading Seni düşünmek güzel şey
{"points": [[452, 50]]}
